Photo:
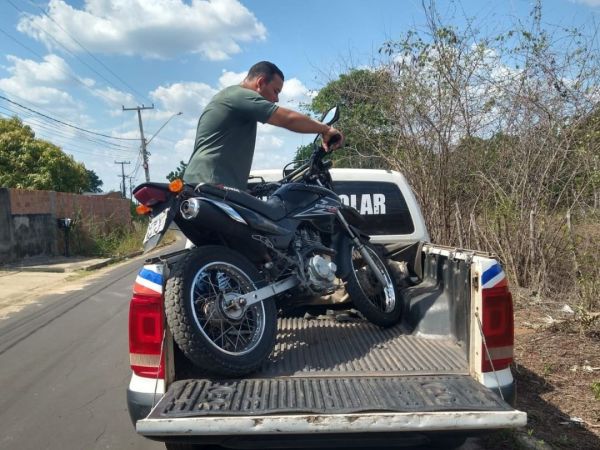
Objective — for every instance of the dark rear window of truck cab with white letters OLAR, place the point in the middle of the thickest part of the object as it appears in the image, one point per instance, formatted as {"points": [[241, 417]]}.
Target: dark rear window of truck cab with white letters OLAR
{"points": [[381, 204]]}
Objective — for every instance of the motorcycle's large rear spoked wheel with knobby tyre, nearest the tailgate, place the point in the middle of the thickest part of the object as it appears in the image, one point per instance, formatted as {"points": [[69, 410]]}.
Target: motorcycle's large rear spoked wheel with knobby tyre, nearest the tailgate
{"points": [[212, 329]]}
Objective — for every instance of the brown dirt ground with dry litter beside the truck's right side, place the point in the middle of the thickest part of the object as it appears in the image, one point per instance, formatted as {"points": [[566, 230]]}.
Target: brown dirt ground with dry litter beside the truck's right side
{"points": [[557, 368]]}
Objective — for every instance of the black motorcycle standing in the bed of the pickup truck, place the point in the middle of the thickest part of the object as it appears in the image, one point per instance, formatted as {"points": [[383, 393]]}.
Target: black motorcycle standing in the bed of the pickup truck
{"points": [[250, 255]]}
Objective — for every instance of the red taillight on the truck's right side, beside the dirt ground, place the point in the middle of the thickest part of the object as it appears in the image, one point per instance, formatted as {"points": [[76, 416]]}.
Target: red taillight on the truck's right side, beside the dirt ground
{"points": [[498, 329]]}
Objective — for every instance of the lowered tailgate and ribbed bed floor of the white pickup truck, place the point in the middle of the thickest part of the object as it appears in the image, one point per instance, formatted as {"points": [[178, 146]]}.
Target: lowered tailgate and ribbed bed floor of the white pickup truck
{"points": [[337, 377]]}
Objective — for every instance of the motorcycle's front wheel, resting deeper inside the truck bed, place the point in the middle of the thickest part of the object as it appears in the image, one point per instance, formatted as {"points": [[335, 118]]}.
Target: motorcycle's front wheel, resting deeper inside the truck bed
{"points": [[379, 302]]}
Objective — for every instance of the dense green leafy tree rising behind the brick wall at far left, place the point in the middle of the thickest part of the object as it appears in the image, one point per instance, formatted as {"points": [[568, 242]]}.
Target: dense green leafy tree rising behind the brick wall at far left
{"points": [[27, 162]]}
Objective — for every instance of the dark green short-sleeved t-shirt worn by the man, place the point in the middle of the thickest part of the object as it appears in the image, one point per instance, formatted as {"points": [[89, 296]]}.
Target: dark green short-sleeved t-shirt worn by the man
{"points": [[226, 137]]}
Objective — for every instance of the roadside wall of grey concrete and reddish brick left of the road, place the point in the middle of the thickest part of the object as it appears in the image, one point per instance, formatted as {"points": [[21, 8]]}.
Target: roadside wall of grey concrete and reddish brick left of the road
{"points": [[28, 219]]}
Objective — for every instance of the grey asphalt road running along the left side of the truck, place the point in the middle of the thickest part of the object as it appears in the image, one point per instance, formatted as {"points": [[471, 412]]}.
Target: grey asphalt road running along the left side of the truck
{"points": [[64, 369]]}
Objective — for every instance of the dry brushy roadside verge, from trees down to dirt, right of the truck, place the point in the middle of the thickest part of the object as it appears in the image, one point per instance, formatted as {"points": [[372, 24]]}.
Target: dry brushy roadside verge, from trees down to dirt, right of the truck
{"points": [[499, 135]]}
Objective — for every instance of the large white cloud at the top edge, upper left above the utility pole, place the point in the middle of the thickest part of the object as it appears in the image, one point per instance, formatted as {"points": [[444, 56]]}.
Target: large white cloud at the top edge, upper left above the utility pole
{"points": [[152, 28]]}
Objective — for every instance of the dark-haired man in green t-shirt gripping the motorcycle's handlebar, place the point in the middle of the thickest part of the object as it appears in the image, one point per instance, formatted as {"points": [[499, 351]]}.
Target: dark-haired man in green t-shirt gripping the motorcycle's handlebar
{"points": [[226, 133]]}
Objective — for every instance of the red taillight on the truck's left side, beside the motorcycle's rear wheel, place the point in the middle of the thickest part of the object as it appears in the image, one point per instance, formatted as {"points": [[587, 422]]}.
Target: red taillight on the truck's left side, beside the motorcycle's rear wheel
{"points": [[146, 335]]}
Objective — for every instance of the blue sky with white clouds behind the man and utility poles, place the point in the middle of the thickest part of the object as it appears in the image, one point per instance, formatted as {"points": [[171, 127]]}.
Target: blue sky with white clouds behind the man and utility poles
{"points": [[80, 61]]}
